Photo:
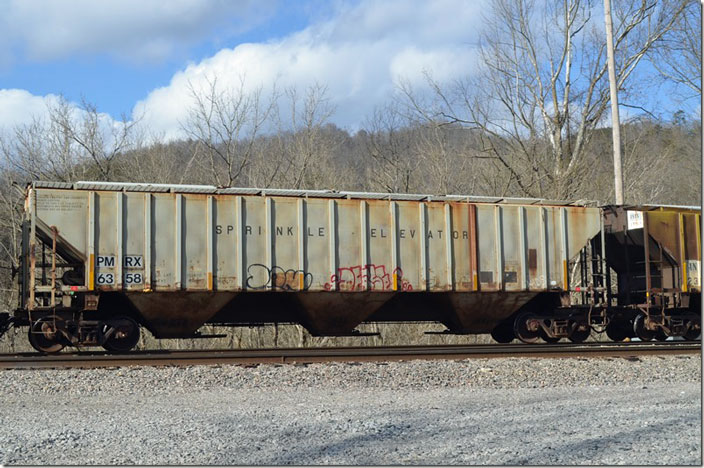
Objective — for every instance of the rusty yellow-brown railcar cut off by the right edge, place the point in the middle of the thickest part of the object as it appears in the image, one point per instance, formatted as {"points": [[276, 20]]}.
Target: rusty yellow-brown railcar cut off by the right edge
{"points": [[654, 255]]}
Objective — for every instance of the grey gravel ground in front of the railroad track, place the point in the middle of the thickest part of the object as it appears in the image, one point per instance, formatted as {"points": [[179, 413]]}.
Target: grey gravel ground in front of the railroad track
{"points": [[637, 411]]}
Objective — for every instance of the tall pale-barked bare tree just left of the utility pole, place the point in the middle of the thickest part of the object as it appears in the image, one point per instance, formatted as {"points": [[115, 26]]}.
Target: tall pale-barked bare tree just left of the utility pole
{"points": [[542, 88]]}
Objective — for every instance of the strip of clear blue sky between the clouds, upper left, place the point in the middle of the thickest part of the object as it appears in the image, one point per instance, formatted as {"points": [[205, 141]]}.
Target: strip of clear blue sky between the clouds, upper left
{"points": [[115, 82]]}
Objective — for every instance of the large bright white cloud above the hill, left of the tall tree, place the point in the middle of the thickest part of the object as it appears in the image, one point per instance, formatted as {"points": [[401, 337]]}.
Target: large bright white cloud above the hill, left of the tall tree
{"points": [[358, 54]]}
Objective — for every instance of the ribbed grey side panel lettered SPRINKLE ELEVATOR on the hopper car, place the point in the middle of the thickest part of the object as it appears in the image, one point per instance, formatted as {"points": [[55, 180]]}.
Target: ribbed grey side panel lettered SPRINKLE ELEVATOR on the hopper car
{"points": [[195, 242]]}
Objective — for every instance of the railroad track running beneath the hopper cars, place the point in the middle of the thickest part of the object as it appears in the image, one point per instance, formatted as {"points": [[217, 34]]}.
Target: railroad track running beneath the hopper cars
{"points": [[346, 354]]}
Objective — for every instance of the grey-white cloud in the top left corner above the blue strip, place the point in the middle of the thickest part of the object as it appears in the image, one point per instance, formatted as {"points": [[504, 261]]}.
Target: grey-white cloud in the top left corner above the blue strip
{"points": [[132, 29]]}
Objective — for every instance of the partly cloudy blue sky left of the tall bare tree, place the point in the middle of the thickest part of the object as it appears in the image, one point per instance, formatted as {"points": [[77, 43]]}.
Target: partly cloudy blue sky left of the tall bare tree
{"points": [[138, 58]]}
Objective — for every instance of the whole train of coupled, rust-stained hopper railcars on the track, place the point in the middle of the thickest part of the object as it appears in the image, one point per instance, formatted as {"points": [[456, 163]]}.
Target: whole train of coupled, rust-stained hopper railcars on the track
{"points": [[101, 260]]}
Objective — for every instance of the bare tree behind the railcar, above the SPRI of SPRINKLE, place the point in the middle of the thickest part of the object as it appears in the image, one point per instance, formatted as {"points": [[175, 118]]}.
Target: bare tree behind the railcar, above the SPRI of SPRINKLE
{"points": [[225, 124]]}
